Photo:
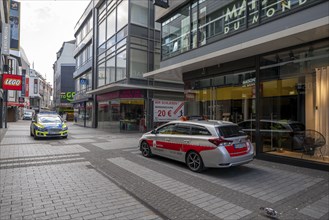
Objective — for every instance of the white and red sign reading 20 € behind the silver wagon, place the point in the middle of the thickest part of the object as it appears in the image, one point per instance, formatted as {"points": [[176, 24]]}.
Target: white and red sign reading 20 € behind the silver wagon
{"points": [[164, 110]]}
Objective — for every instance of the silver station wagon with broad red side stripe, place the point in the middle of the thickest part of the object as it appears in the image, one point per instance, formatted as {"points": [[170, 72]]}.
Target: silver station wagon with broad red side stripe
{"points": [[199, 144]]}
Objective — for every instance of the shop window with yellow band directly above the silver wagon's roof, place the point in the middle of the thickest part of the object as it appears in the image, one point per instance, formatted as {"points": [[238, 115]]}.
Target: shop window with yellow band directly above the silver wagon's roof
{"points": [[229, 97]]}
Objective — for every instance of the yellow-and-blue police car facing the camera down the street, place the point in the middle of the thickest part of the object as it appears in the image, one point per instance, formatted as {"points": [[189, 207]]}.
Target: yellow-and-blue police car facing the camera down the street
{"points": [[48, 125]]}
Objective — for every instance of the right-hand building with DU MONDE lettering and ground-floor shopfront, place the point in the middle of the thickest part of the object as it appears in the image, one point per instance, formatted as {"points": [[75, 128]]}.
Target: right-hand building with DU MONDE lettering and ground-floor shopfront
{"points": [[250, 62]]}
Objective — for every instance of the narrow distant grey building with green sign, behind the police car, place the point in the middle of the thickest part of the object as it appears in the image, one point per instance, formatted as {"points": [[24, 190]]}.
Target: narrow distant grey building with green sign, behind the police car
{"points": [[64, 91]]}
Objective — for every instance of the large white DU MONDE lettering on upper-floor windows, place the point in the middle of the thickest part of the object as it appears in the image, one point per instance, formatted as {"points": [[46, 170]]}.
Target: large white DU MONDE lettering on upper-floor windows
{"points": [[235, 14]]}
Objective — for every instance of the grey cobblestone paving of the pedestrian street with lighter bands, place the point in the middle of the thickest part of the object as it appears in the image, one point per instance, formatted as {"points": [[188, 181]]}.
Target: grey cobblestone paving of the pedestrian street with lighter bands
{"points": [[95, 174]]}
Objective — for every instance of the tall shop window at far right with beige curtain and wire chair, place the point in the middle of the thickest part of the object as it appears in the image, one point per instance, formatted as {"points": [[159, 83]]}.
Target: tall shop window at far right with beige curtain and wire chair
{"points": [[294, 98]]}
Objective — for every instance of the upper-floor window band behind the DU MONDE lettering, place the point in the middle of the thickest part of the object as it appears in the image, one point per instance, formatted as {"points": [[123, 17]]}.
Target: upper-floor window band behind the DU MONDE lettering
{"points": [[205, 21]]}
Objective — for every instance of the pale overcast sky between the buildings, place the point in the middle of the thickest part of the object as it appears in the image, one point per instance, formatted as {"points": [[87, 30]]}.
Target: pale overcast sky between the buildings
{"points": [[45, 25]]}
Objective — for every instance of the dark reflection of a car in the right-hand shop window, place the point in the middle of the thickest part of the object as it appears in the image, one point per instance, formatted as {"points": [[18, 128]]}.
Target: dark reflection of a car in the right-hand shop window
{"points": [[277, 133]]}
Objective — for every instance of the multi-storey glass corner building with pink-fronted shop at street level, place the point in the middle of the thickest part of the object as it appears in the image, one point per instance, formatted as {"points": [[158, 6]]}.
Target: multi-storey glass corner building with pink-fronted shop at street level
{"points": [[125, 44]]}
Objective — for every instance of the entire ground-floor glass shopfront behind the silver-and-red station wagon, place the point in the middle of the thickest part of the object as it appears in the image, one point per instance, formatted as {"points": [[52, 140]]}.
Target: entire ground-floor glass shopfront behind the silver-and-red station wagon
{"points": [[293, 97]]}
